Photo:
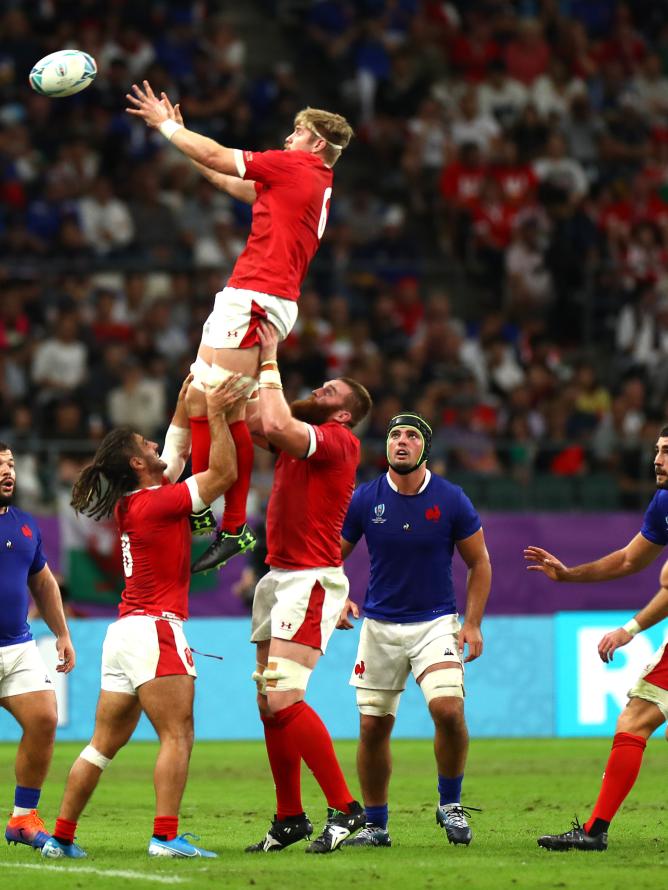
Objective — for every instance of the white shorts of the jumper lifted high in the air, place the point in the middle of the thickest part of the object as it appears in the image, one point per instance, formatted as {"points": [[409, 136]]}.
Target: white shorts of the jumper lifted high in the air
{"points": [[238, 313]]}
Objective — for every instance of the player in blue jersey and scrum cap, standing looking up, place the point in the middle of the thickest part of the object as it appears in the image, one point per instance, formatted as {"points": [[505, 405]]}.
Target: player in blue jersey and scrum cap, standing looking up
{"points": [[412, 520]]}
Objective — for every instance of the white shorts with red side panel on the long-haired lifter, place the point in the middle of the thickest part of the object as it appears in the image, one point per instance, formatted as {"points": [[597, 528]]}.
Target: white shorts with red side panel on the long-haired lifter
{"points": [[139, 648]]}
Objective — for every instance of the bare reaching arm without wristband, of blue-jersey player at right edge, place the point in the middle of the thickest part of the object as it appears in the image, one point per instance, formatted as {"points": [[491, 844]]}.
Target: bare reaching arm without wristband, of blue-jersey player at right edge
{"points": [[637, 555]]}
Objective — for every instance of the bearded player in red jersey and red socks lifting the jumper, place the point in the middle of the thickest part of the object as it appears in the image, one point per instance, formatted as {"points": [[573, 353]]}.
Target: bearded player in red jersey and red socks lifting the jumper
{"points": [[298, 602]]}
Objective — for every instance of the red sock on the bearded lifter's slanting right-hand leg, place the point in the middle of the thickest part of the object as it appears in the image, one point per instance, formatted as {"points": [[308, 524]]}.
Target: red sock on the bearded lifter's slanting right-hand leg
{"points": [[306, 731]]}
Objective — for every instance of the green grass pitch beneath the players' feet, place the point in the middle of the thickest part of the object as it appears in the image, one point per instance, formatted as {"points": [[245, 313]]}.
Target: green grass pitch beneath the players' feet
{"points": [[525, 787]]}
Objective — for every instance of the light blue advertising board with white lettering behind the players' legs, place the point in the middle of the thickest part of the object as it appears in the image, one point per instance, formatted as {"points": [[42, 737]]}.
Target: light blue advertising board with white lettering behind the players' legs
{"points": [[539, 676]]}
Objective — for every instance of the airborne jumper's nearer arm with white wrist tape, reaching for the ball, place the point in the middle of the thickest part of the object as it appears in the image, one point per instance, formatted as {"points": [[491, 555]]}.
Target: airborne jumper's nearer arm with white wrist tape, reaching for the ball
{"points": [[147, 106]]}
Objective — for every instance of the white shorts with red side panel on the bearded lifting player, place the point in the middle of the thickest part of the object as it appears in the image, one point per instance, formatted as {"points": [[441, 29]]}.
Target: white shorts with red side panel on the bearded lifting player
{"points": [[302, 606]]}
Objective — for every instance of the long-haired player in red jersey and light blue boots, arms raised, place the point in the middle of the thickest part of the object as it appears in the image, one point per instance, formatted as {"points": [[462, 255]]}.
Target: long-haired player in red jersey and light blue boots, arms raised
{"points": [[146, 662]]}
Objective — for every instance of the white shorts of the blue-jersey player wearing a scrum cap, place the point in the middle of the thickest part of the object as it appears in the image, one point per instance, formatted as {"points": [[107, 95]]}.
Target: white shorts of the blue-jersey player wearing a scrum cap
{"points": [[387, 652]]}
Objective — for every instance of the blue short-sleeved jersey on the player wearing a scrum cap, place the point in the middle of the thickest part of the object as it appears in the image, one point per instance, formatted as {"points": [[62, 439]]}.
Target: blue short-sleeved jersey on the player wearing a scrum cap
{"points": [[410, 539]]}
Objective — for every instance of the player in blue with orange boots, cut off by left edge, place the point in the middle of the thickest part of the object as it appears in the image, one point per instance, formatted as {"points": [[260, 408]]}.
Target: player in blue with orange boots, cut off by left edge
{"points": [[26, 690]]}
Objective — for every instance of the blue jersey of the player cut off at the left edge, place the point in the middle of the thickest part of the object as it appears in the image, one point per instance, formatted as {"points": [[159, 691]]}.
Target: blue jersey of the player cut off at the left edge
{"points": [[20, 556]]}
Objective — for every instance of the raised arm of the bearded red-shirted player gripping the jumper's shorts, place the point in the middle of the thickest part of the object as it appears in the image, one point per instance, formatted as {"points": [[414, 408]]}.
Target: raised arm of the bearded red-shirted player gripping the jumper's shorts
{"points": [[281, 429]]}
